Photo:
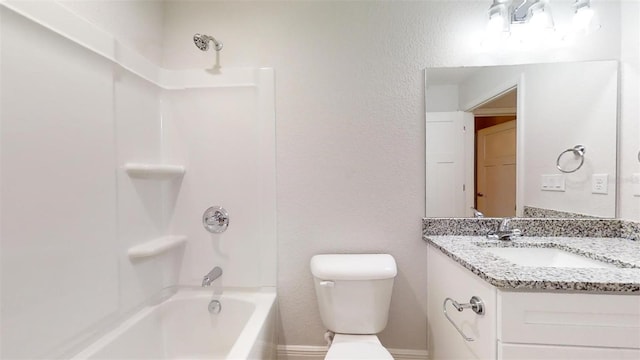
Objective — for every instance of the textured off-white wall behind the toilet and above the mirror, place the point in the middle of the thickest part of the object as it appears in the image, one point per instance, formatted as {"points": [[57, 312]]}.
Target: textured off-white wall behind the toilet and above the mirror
{"points": [[350, 126]]}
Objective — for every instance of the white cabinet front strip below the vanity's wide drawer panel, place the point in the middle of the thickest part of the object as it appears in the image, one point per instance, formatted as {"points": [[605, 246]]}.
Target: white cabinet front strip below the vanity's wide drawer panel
{"points": [[546, 352]]}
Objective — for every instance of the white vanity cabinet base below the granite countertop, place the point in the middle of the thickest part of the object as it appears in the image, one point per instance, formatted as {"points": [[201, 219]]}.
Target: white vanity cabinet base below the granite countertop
{"points": [[526, 325]]}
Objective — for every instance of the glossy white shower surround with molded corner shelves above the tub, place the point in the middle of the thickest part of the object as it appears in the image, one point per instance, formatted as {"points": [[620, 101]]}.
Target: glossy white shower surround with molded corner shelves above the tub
{"points": [[108, 162]]}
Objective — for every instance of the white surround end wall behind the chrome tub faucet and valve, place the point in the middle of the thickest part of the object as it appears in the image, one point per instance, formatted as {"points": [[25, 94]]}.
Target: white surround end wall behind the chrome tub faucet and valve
{"points": [[225, 137]]}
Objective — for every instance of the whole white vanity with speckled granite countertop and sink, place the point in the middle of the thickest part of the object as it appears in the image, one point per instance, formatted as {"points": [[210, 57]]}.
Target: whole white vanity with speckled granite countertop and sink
{"points": [[564, 310]]}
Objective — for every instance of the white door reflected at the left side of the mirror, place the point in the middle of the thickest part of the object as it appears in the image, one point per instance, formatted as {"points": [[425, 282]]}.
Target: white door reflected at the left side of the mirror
{"points": [[446, 168]]}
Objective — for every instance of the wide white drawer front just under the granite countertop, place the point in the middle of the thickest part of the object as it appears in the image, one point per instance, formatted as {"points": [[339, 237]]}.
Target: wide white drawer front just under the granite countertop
{"points": [[569, 319]]}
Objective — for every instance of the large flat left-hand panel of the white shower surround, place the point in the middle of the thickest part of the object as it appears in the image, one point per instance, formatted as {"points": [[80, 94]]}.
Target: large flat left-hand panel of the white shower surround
{"points": [[58, 204]]}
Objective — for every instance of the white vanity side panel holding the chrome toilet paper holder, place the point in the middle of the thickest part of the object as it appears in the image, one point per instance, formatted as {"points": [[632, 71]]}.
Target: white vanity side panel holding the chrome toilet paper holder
{"points": [[446, 278]]}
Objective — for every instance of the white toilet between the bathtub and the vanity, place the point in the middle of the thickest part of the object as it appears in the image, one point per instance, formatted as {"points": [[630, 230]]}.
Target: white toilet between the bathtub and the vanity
{"points": [[354, 293]]}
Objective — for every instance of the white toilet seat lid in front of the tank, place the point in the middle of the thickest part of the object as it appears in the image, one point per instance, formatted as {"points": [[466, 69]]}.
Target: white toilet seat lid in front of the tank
{"points": [[346, 347]]}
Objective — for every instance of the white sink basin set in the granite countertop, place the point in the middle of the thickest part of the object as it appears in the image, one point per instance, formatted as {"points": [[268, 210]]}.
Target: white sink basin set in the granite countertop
{"points": [[545, 257]]}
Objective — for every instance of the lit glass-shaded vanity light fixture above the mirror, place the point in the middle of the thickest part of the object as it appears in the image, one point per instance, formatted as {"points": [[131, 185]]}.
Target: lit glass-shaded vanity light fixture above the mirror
{"points": [[534, 15]]}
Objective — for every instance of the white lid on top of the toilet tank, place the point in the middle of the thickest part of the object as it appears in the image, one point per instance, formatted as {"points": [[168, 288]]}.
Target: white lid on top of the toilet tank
{"points": [[353, 266]]}
